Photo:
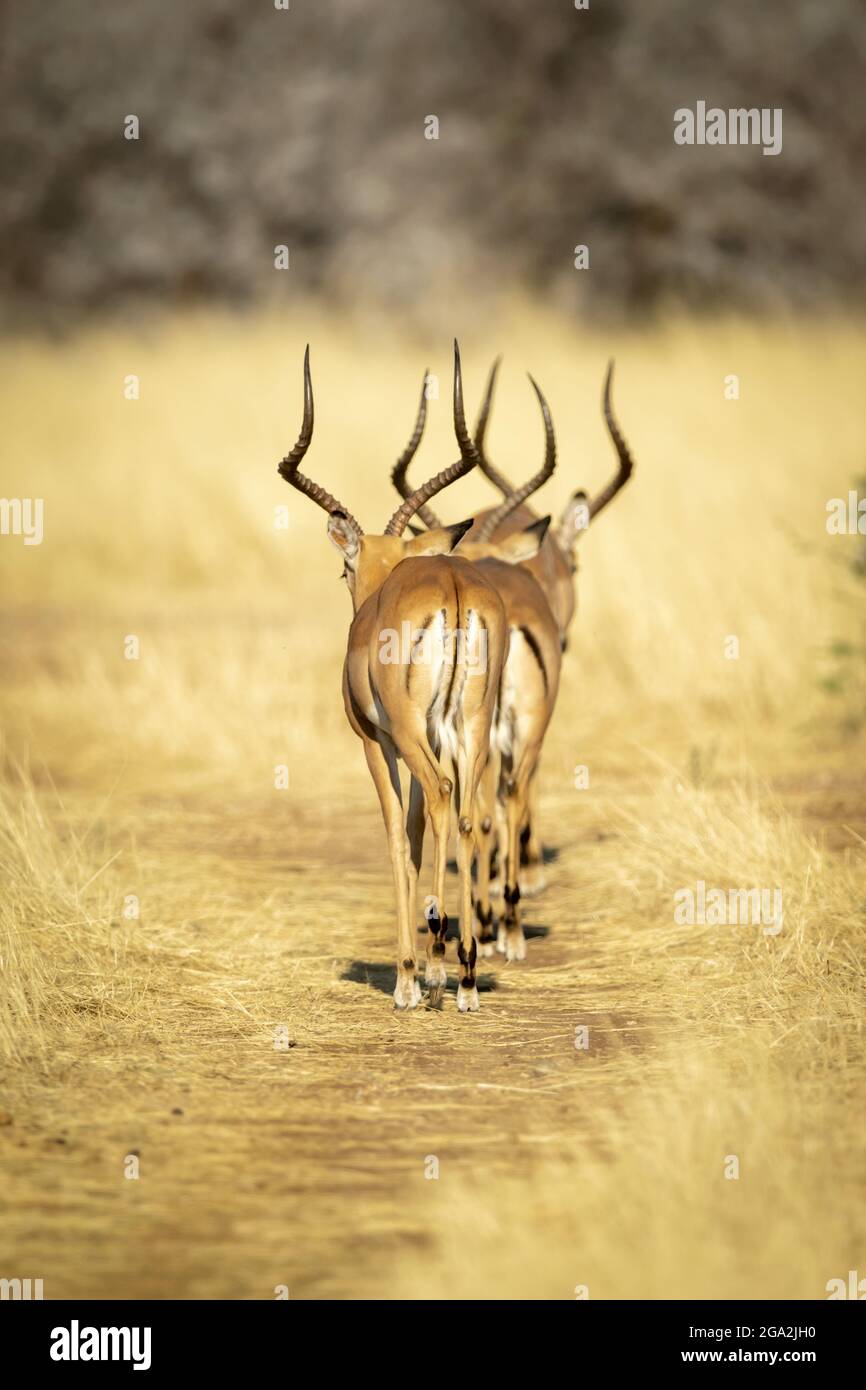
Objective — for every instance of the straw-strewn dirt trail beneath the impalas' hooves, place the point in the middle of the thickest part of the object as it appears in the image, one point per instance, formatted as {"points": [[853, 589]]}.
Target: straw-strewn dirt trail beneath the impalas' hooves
{"points": [[256, 1164]]}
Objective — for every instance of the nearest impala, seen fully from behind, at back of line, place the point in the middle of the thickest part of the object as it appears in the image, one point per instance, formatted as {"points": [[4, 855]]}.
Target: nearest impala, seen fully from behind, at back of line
{"points": [[432, 710]]}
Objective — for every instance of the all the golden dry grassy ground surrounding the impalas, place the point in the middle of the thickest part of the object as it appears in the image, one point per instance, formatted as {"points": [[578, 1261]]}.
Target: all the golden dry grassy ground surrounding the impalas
{"points": [[238, 1036]]}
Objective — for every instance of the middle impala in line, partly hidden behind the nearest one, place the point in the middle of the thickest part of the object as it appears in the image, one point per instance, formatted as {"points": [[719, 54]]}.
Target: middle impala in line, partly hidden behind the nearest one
{"points": [[529, 689]]}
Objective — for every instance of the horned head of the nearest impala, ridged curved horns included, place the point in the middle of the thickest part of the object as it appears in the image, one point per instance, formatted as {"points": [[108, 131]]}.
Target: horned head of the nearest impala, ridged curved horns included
{"points": [[369, 559]]}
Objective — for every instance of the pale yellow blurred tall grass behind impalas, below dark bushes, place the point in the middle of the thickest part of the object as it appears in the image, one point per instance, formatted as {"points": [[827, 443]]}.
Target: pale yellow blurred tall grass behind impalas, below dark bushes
{"points": [[161, 523]]}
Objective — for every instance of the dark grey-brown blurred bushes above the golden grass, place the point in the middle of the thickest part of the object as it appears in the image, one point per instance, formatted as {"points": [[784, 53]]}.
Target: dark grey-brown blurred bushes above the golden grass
{"points": [[305, 127]]}
